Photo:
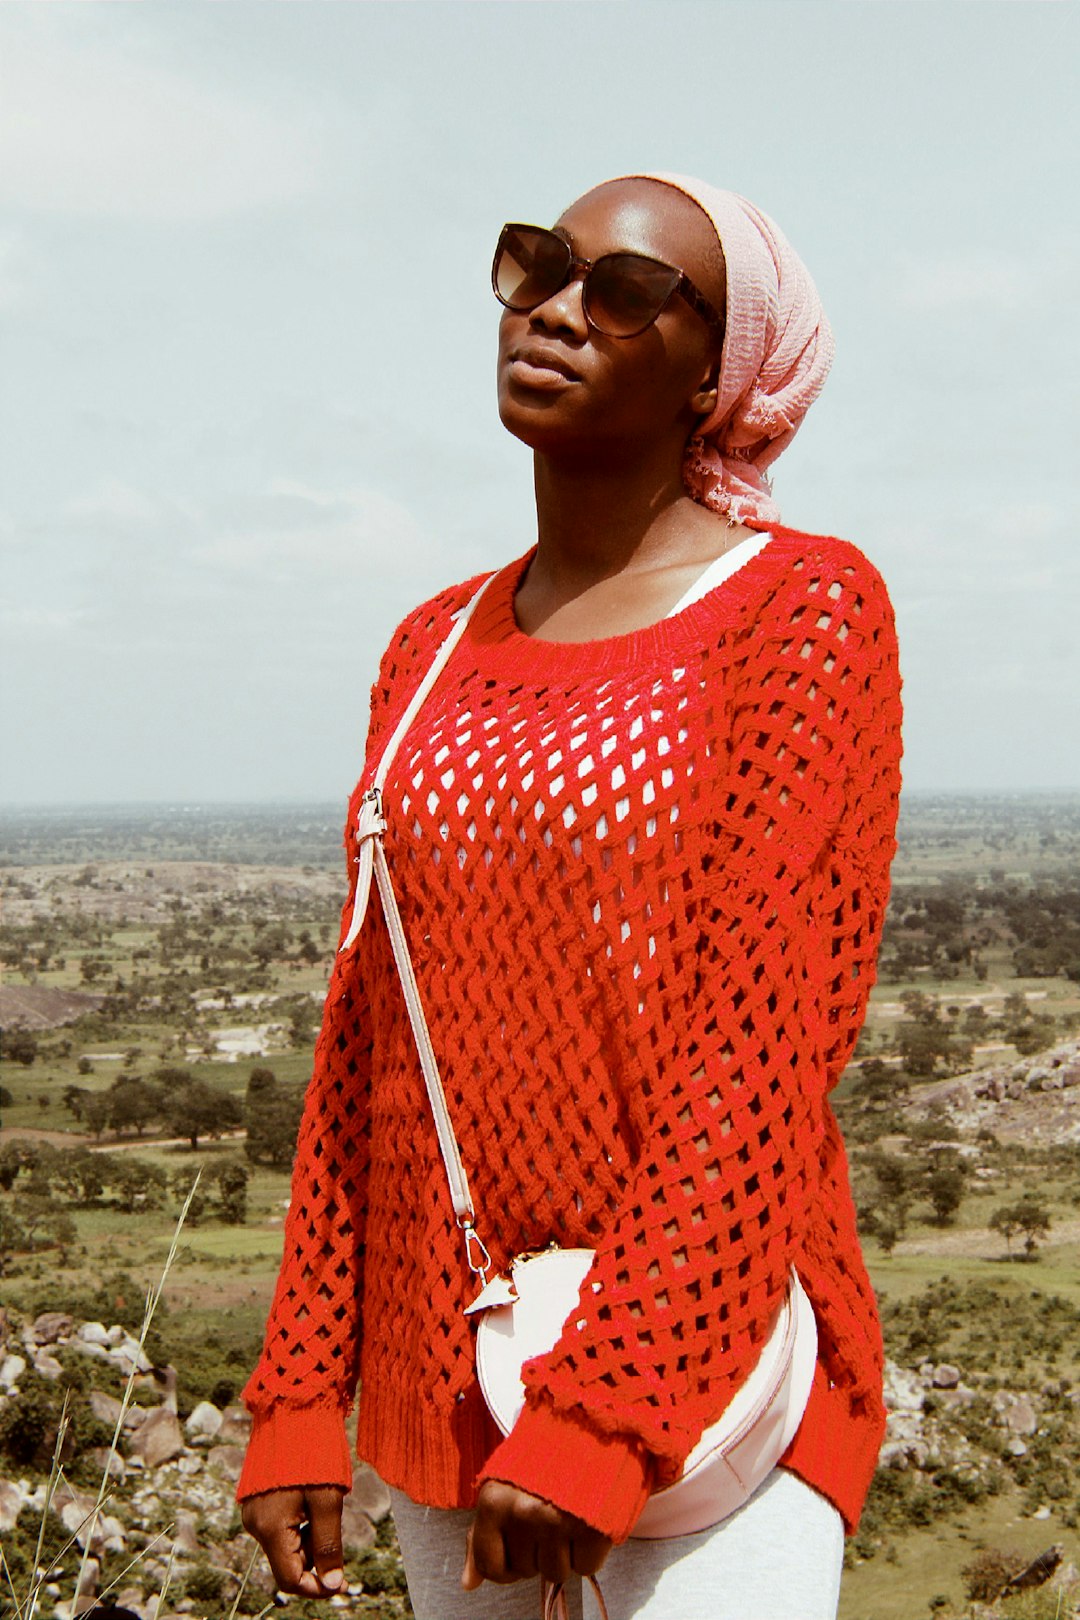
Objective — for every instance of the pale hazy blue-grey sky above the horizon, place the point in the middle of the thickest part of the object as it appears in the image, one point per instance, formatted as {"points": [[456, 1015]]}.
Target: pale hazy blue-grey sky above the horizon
{"points": [[247, 349]]}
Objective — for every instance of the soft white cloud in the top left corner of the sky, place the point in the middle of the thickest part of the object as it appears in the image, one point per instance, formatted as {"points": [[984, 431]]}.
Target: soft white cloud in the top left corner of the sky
{"points": [[95, 127]]}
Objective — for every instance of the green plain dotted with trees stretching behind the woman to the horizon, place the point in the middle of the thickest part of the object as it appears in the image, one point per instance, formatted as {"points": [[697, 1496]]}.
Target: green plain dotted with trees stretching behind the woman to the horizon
{"points": [[197, 945]]}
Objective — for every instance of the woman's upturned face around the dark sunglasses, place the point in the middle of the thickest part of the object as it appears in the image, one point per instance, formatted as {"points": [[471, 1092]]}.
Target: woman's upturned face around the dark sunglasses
{"points": [[566, 388]]}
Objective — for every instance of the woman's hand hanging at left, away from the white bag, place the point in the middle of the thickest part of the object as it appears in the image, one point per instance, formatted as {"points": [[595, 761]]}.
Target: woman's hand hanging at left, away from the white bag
{"points": [[300, 1532]]}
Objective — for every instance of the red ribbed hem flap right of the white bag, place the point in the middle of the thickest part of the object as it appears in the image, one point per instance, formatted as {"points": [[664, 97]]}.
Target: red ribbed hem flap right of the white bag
{"points": [[835, 1451]]}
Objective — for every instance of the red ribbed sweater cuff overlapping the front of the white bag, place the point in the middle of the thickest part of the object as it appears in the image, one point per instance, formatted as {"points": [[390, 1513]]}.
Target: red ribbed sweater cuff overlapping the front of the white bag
{"points": [[603, 1480]]}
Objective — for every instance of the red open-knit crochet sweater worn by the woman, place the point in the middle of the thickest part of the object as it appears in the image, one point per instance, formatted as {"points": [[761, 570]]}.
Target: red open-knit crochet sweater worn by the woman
{"points": [[644, 882]]}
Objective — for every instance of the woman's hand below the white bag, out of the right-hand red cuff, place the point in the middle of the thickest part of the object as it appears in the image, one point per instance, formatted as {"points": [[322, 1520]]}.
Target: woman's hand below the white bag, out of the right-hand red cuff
{"points": [[516, 1535]]}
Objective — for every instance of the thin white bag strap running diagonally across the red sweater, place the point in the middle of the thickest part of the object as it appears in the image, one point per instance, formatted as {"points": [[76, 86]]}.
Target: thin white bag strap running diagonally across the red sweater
{"points": [[373, 863]]}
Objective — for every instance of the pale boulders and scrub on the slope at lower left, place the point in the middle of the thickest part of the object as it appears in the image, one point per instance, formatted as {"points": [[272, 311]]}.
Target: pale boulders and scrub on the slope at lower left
{"points": [[169, 1535]]}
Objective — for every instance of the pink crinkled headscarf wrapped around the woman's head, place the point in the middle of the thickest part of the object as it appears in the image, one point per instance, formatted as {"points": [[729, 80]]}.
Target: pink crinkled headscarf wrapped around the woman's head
{"points": [[778, 351]]}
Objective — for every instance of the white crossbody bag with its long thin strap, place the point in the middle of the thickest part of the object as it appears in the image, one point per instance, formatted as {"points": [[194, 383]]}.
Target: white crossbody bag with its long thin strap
{"points": [[524, 1311]]}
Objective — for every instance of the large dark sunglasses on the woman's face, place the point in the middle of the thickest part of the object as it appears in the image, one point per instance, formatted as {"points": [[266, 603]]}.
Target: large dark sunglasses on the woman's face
{"points": [[623, 292]]}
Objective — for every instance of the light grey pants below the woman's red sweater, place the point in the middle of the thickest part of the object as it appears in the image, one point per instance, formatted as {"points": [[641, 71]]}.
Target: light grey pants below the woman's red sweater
{"points": [[778, 1558]]}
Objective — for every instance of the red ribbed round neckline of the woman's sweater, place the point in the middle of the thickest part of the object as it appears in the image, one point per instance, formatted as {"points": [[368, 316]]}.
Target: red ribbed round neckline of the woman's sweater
{"points": [[501, 647]]}
